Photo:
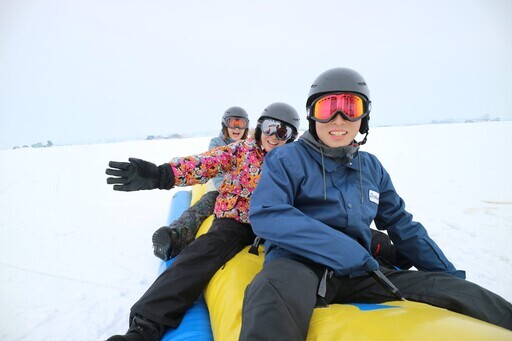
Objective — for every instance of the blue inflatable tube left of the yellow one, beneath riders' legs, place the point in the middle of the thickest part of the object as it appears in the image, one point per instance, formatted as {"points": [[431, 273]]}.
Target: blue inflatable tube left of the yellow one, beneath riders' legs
{"points": [[196, 322]]}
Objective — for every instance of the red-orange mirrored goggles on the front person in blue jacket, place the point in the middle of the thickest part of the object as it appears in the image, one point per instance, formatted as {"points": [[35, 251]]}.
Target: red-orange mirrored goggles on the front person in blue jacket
{"points": [[351, 107]]}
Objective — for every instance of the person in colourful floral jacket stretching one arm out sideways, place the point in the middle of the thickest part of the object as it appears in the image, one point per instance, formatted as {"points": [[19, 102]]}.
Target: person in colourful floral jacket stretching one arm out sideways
{"points": [[179, 286]]}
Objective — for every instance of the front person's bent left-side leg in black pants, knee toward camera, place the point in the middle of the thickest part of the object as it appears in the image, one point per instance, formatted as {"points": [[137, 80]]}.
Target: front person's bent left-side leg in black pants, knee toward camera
{"points": [[279, 302]]}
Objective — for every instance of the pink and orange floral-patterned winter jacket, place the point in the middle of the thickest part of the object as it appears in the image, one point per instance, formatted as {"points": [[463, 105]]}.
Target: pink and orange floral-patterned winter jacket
{"points": [[240, 162]]}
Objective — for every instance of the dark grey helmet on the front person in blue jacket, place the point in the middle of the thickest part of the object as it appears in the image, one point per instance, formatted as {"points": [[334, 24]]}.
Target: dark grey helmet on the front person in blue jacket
{"points": [[339, 80]]}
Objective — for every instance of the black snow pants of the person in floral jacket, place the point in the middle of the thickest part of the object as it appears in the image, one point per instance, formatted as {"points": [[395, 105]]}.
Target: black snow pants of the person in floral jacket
{"points": [[181, 284]]}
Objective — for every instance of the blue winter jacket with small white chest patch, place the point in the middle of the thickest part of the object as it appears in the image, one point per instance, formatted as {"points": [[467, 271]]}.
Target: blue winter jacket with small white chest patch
{"points": [[304, 214]]}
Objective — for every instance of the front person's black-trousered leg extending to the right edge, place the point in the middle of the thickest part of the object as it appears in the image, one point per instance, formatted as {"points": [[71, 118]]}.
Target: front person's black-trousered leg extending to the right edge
{"points": [[435, 288]]}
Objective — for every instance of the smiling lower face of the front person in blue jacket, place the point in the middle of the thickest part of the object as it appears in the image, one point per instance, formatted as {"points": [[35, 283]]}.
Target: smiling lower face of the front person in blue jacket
{"points": [[338, 132]]}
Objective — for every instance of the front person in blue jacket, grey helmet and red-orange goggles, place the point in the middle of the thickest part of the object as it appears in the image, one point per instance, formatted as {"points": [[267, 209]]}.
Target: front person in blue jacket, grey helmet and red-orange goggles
{"points": [[314, 205]]}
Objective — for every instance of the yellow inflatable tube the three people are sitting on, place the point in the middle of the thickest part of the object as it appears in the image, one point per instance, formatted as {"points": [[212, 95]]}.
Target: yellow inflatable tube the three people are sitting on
{"points": [[396, 320]]}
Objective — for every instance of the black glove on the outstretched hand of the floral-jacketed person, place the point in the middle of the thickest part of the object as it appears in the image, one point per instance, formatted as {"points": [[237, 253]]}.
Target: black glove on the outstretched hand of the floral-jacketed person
{"points": [[139, 175]]}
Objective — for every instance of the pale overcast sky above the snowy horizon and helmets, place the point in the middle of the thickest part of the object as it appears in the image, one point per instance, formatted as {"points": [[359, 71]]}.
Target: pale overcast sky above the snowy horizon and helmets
{"points": [[86, 71]]}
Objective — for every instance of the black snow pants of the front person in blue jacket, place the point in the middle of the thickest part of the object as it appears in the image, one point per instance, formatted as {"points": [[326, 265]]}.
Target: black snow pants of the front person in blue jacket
{"points": [[279, 302]]}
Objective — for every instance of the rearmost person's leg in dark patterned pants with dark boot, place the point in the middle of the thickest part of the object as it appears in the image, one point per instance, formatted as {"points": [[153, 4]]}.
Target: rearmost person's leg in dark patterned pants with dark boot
{"points": [[169, 241]]}
